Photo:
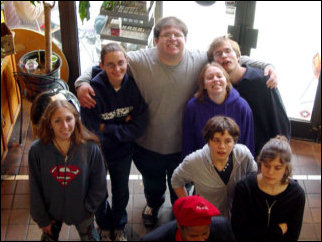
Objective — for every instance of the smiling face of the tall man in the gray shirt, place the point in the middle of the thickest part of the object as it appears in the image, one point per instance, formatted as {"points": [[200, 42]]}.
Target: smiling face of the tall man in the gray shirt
{"points": [[171, 43]]}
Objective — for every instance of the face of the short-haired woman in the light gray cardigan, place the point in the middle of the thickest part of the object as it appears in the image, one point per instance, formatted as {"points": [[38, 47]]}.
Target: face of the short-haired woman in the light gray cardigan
{"points": [[221, 146]]}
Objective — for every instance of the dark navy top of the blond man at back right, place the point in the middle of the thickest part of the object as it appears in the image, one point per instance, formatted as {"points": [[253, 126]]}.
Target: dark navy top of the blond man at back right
{"points": [[270, 118]]}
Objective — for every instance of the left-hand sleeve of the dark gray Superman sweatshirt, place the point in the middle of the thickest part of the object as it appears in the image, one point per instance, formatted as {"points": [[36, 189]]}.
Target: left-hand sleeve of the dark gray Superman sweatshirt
{"points": [[38, 209]]}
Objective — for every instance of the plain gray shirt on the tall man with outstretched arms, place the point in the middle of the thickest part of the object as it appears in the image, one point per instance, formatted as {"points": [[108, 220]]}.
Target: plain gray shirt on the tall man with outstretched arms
{"points": [[166, 89]]}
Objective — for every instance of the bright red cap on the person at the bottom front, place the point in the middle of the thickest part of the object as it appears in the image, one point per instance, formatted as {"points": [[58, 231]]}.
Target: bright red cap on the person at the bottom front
{"points": [[194, 211]]}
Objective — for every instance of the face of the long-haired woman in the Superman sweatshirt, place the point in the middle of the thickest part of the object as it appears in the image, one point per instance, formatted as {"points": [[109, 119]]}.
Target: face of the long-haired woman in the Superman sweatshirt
{"points": [[63, 124]]}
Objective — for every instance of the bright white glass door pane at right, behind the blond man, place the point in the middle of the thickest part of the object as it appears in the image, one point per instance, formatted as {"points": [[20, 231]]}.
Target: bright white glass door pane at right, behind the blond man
{"points": [[289, 37]]}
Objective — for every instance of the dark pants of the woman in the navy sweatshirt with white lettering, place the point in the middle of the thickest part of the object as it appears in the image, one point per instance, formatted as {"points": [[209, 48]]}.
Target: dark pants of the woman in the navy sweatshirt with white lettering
{"points": [[115, 217]]}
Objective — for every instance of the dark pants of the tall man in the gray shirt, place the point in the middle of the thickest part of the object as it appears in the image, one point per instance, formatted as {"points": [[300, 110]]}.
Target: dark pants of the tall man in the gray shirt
{"points": [[156, 170]]}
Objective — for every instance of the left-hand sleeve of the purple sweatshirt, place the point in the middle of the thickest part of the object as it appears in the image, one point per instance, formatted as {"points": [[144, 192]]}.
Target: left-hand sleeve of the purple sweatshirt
{"points": [[188, 138]]}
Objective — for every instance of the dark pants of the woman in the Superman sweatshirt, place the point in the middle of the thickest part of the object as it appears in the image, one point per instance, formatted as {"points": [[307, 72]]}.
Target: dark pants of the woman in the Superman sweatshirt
{"points": [[85, 229]]}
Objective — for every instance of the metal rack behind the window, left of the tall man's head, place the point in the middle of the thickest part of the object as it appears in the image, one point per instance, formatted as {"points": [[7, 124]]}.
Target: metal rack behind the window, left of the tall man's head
{"points": [[137, 20]]}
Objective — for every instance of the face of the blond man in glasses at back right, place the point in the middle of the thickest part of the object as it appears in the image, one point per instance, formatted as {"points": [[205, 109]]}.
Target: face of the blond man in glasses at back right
{"points": [[226, 56]]}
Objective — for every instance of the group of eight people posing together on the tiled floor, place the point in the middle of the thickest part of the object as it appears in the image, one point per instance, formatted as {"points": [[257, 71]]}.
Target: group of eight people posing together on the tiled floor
{"points": [[148, 114]]}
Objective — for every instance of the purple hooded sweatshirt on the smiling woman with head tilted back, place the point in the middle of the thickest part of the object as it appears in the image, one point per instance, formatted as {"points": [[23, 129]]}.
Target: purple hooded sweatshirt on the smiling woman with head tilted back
{"points": [[197, 114]]}
